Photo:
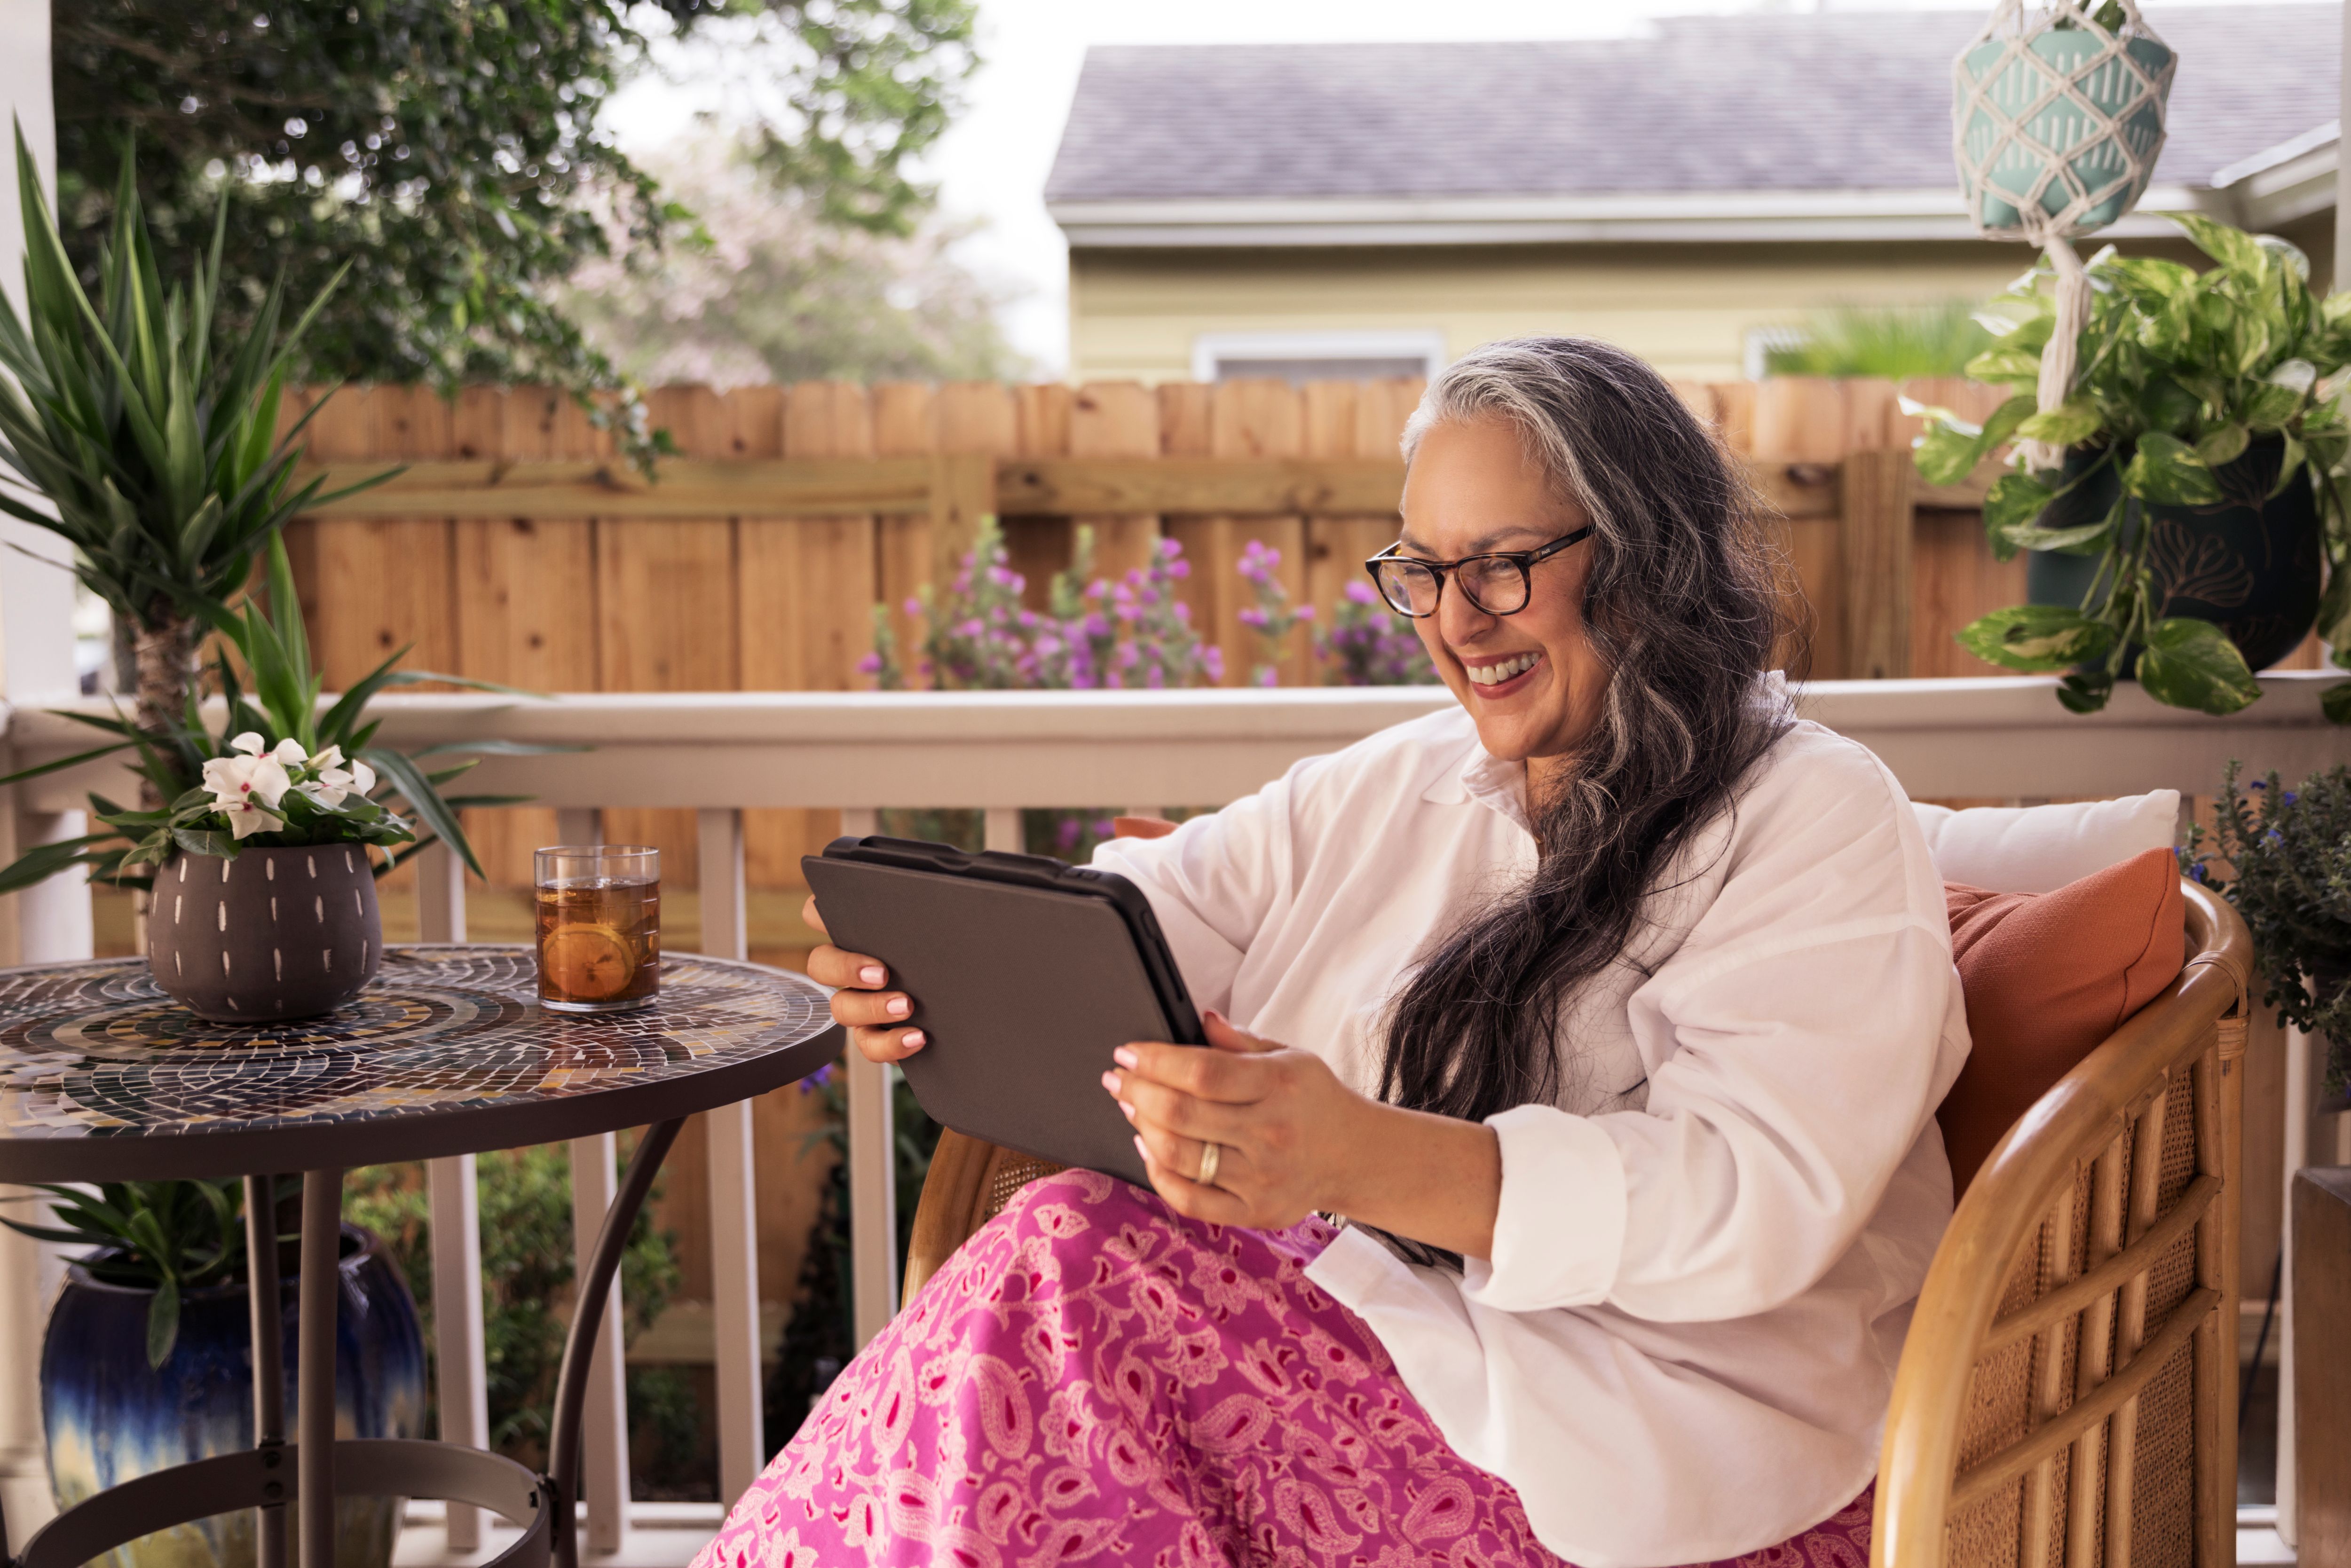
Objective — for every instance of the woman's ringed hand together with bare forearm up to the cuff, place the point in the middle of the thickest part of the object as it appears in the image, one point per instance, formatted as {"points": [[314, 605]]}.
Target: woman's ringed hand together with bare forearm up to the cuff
{"points": [[1292, 1141]]}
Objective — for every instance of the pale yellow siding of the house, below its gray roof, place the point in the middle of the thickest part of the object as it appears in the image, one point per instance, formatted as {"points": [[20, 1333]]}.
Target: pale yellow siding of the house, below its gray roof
{"points": [[1682, 307]]}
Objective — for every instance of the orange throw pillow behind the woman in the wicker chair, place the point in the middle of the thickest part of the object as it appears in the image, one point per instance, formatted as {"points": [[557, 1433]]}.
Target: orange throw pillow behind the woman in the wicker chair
{"points": [[2047, 979]]}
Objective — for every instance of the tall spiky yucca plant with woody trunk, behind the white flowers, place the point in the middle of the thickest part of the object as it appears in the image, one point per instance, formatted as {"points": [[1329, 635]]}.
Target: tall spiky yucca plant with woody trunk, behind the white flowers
{"points": [[154, 445]]}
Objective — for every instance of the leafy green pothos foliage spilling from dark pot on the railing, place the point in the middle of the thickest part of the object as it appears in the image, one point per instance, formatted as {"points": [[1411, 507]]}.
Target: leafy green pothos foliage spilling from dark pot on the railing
{"points": [[2178, 375]]}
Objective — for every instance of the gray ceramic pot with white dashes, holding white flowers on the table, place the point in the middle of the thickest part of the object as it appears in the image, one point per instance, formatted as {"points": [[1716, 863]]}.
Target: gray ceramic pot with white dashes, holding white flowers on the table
{"points": [[272, 934]]}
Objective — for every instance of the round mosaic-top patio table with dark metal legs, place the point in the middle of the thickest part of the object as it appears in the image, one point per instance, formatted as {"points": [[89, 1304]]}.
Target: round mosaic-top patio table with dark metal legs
{"points": [[105, 1078]]}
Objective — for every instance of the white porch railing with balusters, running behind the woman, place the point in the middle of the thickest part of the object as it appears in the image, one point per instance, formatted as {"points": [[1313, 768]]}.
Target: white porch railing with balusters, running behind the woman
{"points": [[723, 753]]}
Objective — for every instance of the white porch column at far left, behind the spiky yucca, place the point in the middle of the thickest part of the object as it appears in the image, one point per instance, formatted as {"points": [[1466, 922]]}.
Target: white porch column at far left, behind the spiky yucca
{"points": [[36, 662]]}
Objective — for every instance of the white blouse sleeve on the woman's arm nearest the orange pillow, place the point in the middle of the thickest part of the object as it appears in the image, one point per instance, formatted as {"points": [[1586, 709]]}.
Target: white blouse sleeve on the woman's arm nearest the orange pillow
{"points": [[1800, 1043]]}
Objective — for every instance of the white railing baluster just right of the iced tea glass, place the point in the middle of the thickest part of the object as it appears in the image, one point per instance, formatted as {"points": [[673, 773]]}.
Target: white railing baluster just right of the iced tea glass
{"points": [[735, 1219]]}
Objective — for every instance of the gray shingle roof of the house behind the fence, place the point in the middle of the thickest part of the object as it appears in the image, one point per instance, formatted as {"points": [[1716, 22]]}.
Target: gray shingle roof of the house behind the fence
{"points": [[1814, 102]]}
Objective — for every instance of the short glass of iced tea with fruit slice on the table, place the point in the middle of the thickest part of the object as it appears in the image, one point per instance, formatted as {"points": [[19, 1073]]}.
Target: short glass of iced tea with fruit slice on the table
{"points": [[598, 927]]}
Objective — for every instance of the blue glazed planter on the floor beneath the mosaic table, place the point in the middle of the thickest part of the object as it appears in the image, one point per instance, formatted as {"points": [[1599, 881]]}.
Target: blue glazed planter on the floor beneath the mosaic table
{"points": [[112, 1419]]}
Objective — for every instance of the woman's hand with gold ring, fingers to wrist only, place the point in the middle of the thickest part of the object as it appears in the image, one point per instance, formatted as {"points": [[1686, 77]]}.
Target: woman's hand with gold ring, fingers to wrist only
{"points": [[1287, 1130]]}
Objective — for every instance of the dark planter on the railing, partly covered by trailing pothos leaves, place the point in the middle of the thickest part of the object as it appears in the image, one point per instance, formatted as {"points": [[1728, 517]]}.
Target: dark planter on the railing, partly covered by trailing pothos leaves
{"points": [[2249, 563]]}
